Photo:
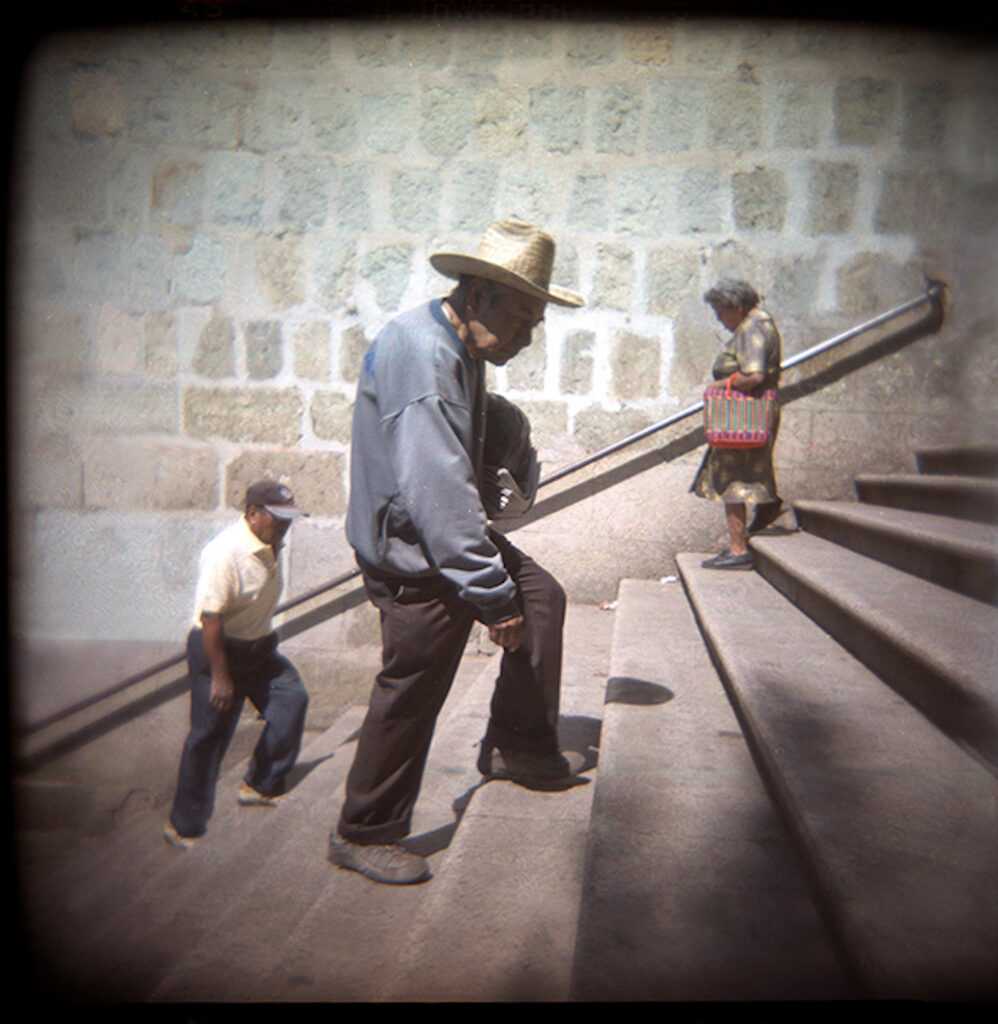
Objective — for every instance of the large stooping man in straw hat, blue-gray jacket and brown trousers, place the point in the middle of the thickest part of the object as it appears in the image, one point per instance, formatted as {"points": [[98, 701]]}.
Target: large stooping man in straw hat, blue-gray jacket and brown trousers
{"points": [[431, 565]]}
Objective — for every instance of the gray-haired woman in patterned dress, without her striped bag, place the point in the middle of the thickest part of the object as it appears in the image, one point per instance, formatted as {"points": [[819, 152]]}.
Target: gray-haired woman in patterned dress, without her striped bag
{"points": [[740, 478]]}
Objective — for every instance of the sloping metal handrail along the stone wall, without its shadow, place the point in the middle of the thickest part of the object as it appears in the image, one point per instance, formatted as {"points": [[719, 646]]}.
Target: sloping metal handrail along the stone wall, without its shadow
{"points": [[934, 291]]}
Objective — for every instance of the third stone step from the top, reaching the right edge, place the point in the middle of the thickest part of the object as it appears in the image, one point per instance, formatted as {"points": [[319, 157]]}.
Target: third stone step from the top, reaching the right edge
{"points": [[959, 554]]}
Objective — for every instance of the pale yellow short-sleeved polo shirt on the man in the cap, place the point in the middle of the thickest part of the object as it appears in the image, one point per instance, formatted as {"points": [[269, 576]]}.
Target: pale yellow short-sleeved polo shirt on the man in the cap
{"points": [[240, 579]]}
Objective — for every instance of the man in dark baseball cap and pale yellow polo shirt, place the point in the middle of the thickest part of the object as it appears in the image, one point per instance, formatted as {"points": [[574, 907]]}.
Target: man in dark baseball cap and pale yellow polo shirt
{"points": [[232, 657]]}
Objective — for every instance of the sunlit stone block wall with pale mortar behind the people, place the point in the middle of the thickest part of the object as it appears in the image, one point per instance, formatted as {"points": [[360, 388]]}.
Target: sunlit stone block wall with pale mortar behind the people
{"points": [[213, 220]]}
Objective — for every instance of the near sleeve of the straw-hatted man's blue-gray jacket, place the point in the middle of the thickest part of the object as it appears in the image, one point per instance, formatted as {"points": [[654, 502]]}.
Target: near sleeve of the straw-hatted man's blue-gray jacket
{"points": [[440, 496]]}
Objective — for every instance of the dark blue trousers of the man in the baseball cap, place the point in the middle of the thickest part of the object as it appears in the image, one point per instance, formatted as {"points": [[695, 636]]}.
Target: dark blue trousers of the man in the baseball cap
{"points": [[276, 690]]}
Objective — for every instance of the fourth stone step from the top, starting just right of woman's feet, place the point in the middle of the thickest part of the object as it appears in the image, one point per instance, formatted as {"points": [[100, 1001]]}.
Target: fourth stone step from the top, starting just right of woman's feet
{"points": [[936, 648]]}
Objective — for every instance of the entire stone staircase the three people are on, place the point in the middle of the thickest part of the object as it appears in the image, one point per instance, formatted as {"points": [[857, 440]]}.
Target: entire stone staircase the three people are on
{"points": [[797, 799]]}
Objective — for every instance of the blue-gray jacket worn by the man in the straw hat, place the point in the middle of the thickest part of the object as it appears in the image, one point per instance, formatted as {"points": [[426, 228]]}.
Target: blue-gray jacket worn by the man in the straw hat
{"points": [[416, 462]]}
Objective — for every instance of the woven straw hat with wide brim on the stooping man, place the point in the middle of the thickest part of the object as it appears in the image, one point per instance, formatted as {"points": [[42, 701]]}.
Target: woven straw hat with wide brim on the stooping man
{"points": [[515, 254]]}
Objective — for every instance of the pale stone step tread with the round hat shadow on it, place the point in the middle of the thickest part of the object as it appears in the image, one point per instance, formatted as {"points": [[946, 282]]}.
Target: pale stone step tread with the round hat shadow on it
{"points": [[693, 890]]}
